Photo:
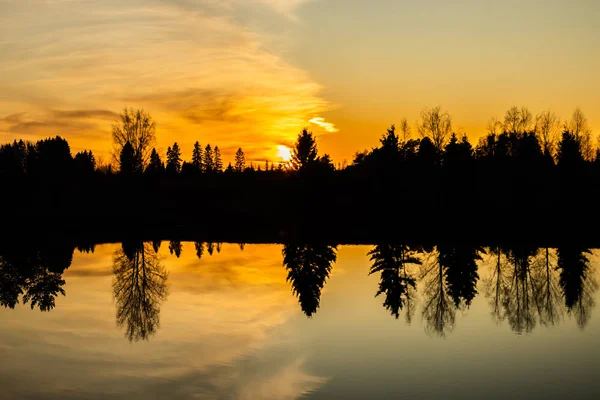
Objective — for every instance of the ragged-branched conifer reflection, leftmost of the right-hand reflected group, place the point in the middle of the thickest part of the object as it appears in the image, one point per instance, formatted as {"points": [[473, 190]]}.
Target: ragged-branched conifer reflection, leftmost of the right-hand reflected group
{"points": [[398, 285]]}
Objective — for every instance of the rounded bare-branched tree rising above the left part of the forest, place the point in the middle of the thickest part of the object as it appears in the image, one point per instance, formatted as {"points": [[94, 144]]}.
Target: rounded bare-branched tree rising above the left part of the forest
{"points": [[137, 128]]}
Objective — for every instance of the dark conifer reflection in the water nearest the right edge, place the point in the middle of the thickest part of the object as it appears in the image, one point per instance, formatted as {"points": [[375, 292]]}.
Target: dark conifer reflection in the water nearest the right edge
{"points": [[577, 282]]}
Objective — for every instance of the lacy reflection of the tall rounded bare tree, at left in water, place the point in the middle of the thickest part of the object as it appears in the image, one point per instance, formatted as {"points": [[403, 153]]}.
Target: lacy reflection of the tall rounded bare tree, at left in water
{"points": [[139, 287]]}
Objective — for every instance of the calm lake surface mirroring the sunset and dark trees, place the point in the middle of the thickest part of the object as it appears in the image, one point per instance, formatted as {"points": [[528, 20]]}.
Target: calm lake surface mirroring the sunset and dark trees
{"points": [[138, 325]]}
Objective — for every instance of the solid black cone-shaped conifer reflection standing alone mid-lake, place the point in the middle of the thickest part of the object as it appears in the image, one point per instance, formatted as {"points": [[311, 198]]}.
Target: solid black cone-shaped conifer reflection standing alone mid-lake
{"points": [[308, 268]]}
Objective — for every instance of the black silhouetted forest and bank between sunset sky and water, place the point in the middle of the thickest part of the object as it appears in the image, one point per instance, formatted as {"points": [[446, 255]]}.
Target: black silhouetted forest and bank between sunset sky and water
{"points": [[535, 172]]}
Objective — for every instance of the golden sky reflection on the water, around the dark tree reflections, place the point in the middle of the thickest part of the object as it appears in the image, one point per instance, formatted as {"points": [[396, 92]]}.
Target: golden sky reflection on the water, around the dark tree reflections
{"points": [[230, 327]]}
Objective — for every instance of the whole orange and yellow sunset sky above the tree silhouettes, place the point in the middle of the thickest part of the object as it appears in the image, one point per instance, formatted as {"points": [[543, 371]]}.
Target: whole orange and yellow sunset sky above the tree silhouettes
{"points": [[253, 73]]}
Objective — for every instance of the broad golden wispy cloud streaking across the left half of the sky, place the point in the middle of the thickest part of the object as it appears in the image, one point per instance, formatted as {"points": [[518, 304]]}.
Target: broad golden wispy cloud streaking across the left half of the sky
{"points": [[201, 75]]}
